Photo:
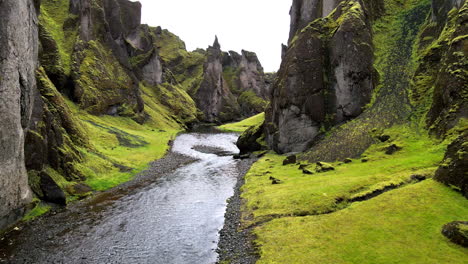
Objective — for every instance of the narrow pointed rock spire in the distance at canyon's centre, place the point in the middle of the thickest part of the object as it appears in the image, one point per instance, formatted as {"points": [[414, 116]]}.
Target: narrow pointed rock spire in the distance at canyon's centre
{"points": [[214, 97]]}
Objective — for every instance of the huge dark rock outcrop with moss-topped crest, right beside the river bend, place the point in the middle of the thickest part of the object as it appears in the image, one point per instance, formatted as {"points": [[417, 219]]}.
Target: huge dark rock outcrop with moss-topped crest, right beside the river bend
{"points": [[326, 77]]}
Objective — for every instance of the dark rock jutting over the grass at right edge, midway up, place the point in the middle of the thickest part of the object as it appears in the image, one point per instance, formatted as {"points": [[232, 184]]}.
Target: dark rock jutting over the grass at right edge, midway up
{"points": [[453, 170]]}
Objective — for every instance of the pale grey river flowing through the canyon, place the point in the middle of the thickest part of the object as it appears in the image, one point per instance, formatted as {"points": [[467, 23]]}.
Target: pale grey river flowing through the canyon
{"points": [[174, 219]]}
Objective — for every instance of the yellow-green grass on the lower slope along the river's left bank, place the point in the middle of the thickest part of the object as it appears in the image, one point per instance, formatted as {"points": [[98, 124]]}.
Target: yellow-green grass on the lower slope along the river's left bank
{"points": [[106, 150]]}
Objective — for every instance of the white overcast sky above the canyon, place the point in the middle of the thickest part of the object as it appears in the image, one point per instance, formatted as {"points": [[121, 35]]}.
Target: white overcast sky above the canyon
{"points": [[254, 25]]}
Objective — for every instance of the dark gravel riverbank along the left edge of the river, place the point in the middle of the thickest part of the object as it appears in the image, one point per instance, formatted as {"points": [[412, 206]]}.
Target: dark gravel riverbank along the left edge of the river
{"points": [[28, 242]]}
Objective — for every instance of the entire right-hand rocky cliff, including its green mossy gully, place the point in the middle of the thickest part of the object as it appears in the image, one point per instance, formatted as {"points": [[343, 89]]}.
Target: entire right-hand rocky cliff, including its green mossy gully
{"points": [[367, 66]]}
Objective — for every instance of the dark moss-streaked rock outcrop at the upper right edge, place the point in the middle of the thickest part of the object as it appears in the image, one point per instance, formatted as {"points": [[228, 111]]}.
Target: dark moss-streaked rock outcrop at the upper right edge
{"points": [[444, 63]]}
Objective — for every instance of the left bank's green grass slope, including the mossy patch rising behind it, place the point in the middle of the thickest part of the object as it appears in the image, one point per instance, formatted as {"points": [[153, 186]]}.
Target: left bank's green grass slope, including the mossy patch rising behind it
{"points": [[142, 143]]}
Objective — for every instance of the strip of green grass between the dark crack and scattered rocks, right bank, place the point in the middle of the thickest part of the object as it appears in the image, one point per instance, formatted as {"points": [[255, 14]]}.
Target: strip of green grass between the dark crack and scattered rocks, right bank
{"points": [[302, 194]]}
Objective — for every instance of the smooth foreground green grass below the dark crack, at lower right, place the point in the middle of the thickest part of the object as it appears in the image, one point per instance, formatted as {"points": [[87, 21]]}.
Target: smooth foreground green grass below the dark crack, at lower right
{"points": [[401, 226]]}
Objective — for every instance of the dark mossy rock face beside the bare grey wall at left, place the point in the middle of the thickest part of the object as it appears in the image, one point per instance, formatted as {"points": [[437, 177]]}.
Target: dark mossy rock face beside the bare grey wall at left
{"points": [[52, 145]]}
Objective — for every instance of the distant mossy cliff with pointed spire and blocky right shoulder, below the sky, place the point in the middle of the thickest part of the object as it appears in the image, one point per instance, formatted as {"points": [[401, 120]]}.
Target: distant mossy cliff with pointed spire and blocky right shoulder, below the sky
{"points": [[233, 85]]}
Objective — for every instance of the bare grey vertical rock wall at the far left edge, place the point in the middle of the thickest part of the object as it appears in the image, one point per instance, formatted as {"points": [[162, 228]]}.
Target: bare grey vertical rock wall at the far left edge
{"points": [[18, 62]]}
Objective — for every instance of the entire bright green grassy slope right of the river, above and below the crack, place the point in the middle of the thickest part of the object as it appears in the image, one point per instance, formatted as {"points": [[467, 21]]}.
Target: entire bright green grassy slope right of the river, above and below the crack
{"points": [[310, 219]]}
